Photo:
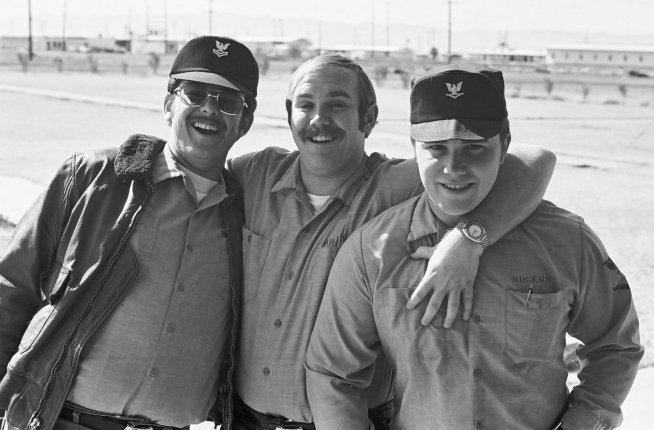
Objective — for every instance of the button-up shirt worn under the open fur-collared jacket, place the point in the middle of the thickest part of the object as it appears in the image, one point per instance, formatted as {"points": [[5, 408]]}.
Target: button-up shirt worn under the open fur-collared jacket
{"points": [[158, 354]]}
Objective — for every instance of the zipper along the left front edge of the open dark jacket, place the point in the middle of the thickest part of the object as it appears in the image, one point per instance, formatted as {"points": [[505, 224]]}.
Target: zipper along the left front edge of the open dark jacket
{"points": [[35, 421]]}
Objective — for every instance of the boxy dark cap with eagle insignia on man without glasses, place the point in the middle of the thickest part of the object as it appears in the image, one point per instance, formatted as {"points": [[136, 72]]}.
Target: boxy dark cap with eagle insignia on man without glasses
{"points": [[457, 101]]}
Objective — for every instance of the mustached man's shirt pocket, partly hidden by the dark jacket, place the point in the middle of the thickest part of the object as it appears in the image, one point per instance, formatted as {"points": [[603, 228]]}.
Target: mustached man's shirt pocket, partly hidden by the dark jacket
{"points": [[255, 251]]}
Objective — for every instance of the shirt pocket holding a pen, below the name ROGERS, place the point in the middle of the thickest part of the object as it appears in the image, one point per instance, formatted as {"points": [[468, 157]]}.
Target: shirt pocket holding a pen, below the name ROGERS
{"points": [[534, 324]]}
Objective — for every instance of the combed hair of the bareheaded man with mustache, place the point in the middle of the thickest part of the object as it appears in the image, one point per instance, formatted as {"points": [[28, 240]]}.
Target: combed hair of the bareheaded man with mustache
{"points": [[367, 96]]}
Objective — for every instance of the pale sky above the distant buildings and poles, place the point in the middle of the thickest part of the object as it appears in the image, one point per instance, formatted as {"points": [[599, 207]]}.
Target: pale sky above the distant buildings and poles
{"points": [[112, 17]]}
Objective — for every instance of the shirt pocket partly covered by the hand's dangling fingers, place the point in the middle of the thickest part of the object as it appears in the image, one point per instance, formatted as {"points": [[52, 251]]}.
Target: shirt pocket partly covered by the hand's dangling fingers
{"points": [[409, 340]]}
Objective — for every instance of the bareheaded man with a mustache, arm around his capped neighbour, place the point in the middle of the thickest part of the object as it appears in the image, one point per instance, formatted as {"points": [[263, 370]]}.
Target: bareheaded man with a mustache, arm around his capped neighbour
{"points": [[301, 206]]}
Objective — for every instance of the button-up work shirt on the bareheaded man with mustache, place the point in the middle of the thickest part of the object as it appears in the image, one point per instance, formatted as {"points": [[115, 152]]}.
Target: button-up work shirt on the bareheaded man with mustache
{"points": [[288, 252]]}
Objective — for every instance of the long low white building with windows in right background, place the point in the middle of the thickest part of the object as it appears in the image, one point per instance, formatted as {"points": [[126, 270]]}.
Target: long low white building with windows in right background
{"points": [[601, 57]]}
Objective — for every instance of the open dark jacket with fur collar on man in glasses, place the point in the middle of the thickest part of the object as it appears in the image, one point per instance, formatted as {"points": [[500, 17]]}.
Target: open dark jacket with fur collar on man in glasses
{"points": [[67, 267]]}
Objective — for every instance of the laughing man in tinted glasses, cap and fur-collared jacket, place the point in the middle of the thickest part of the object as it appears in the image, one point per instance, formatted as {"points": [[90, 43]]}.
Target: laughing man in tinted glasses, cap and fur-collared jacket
{"points": [[120, 289]]}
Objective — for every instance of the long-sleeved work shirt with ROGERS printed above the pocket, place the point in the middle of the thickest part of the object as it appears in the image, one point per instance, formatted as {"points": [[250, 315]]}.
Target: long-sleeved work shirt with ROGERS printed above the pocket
{"points": [[502, 369]]}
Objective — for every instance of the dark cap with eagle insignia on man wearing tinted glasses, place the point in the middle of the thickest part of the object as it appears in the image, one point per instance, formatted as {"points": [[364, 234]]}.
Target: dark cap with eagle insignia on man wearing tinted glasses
{"points": [[217, 60]]}
